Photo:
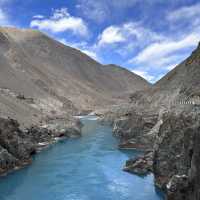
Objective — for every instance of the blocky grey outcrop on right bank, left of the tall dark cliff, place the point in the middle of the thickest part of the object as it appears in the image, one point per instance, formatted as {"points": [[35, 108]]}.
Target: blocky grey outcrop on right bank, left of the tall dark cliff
{"points": [[134, 130]]}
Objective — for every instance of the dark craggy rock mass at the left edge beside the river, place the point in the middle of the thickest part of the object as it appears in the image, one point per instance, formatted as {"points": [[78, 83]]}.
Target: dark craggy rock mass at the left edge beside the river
{"points": [[15, 149]]}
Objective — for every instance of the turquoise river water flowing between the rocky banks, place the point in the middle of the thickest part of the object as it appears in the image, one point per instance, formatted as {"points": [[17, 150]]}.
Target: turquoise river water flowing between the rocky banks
{"points": [[87, 168]]}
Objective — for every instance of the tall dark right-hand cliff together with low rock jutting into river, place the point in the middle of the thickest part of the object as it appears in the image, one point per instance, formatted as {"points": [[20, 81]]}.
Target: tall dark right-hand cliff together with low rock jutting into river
{"points": [[175, 157]]}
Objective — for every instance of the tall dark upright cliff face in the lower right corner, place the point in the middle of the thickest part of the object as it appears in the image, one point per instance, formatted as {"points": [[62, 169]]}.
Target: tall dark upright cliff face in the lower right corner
{"points": [[174, 152]]}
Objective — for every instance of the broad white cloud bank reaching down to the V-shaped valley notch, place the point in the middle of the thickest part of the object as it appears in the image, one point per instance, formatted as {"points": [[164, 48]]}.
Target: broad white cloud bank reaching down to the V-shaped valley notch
{"points": [[160, 57]]}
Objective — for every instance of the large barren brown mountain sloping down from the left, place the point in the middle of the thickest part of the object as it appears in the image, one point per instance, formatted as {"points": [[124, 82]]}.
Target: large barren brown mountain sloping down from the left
{"points": [[40, 76]]}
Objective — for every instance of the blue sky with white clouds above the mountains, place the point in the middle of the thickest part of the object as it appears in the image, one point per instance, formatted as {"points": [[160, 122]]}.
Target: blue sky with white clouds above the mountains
{"points": [[148, 37]]}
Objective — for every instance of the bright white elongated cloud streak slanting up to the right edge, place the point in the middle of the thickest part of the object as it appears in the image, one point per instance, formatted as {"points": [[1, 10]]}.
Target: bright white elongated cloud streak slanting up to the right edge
{"points": [[160, 53]]}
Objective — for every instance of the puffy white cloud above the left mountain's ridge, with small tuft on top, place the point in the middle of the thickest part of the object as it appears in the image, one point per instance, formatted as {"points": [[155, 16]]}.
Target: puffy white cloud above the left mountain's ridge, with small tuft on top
{"points": [[61, 21]]}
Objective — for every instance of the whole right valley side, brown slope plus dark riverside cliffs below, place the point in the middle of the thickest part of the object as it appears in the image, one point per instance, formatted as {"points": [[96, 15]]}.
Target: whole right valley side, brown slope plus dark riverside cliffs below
{"points": [[172, 136]]}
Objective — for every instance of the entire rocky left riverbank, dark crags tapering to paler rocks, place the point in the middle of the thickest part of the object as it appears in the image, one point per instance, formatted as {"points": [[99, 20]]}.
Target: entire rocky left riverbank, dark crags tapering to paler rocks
{"points": [[17, 146]]}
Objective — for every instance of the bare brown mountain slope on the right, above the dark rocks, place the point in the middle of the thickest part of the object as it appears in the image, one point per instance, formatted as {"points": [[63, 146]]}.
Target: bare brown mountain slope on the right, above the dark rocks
{"points": [[179, 85]]}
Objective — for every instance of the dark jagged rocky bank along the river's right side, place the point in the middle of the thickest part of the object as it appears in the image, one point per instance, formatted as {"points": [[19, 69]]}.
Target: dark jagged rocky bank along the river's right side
{"points": [[171, 150]]}
